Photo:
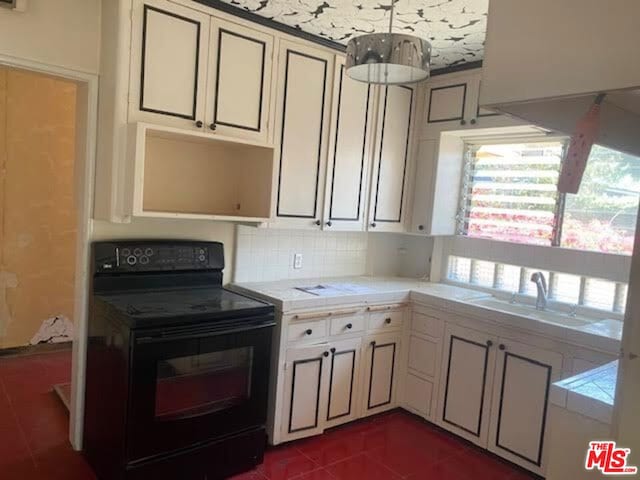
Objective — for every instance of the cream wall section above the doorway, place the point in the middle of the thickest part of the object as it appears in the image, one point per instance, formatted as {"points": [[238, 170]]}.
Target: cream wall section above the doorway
{"points": [[64, 33]]}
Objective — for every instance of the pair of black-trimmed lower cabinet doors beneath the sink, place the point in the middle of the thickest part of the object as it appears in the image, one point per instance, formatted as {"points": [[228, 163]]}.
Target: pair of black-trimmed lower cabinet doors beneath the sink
{"points": [[495, 393]]}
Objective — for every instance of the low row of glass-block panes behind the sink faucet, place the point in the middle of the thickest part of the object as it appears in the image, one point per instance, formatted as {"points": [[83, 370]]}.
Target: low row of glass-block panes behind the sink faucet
{"points": [[563, 287]]}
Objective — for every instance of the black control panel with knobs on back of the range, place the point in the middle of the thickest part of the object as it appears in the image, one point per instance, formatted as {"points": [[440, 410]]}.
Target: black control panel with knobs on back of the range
{"points": [[156, 256]]}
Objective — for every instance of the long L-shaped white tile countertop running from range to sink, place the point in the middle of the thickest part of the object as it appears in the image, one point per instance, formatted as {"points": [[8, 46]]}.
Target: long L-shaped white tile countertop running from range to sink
{"points": [[602, 335]]}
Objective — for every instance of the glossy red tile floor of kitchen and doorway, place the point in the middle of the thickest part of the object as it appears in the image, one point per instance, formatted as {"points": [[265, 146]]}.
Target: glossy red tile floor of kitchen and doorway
{"points": [[396, 445]]}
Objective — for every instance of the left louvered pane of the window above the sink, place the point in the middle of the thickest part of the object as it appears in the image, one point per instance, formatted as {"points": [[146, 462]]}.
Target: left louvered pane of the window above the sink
{"points": [[510, 192]]}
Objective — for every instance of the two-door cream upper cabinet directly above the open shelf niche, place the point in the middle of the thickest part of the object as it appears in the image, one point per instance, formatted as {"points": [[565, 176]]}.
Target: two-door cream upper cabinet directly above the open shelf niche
{"points": [[190, 70]]}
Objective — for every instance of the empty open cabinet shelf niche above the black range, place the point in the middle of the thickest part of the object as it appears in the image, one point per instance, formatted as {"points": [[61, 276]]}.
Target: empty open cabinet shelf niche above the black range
{"points": [[193, 175]]}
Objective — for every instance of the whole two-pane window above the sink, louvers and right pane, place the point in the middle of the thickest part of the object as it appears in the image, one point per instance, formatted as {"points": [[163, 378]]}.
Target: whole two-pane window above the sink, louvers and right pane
{"points": [[509, 193]]}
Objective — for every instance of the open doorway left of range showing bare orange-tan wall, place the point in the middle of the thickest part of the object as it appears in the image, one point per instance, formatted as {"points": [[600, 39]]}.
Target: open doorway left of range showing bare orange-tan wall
{"points": [[38, 243]]}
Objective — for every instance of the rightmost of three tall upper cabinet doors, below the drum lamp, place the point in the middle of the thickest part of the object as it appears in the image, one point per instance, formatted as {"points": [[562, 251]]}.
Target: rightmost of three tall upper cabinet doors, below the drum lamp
{"points": [[392, 153]]}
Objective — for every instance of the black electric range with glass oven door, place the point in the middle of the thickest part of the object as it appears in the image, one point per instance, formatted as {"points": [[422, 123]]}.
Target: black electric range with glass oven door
{"points": [[177, 366]]}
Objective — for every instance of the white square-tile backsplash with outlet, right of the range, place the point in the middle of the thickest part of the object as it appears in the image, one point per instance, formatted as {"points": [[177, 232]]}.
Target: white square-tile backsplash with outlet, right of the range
{"points": [[268, 254]]}
